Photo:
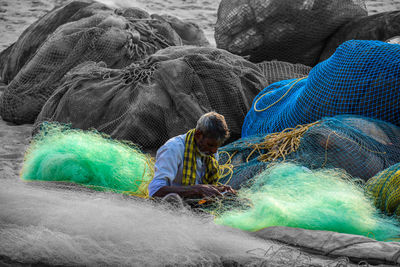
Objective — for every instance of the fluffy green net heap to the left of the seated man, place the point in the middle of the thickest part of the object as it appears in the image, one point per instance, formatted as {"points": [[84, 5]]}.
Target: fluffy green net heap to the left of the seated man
{"points": [[58, 153]]}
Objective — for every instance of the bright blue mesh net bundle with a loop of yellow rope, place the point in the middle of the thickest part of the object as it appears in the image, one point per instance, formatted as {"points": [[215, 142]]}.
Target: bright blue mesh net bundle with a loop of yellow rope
{"points": [[361, 78]]}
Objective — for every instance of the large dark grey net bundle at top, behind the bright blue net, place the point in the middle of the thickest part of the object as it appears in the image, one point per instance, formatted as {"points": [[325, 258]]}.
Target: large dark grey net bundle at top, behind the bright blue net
{"points": [[287, 30]]}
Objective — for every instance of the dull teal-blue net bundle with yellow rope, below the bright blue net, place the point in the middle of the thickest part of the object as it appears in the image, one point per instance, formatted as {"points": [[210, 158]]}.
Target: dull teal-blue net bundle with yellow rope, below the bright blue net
{"points": [[359, 145]]}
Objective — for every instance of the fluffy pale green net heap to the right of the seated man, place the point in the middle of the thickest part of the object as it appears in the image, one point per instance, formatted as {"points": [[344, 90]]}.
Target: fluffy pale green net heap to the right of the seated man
{"points": [[291, 195]]}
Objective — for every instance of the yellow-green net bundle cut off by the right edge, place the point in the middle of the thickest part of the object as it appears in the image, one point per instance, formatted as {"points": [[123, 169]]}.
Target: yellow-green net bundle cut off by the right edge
{"points": [[385, 190]]}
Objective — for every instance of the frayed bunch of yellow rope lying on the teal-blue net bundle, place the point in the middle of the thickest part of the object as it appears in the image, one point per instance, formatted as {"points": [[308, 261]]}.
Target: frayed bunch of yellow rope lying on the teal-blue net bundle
{"points": [[279, 145]]}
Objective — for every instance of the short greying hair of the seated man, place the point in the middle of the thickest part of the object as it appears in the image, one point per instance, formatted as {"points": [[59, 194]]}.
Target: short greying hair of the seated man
{"points": [[213, 125]]}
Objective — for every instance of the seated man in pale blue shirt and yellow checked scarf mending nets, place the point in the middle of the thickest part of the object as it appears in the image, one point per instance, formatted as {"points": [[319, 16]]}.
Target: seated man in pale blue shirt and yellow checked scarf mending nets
{"points": [[186, 164]]}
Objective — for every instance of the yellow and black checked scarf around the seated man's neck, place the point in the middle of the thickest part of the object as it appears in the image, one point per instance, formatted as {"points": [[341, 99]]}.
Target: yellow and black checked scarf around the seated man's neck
{"points": [[189, 163]]}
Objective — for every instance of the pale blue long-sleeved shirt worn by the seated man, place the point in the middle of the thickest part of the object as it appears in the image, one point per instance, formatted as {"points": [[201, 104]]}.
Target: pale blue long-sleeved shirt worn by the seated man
{"points": [[168, 169]]}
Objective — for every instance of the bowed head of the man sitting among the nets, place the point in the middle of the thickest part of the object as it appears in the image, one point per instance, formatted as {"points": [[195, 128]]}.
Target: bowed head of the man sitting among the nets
{"points": [[211, 132]]}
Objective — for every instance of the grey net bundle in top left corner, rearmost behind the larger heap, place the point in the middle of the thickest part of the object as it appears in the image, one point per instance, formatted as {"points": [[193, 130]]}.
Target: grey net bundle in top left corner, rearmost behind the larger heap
{"points": [[14, 57]]}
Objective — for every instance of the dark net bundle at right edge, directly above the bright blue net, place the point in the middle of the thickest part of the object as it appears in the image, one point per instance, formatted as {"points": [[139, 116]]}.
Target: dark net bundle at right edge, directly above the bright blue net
{"points": [[381, 26]]}
